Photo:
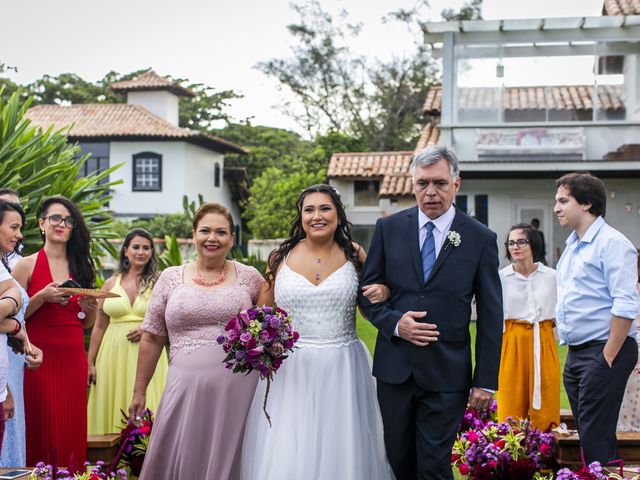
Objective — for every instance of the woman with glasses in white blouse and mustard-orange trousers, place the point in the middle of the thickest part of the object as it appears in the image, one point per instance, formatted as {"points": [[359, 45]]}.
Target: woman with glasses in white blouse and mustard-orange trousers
{"points": [[529, 378]]}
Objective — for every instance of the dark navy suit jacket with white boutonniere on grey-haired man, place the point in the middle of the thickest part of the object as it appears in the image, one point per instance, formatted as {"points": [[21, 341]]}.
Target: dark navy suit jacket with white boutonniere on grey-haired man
{"points": [[459, 273]]}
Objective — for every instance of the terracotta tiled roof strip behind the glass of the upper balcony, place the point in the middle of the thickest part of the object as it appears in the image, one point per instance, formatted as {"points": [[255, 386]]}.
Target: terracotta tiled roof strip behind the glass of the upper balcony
{"points": [[560, 97]]}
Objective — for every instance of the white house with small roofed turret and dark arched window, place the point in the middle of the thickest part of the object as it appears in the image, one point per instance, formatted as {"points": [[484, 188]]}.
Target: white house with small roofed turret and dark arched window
{"points": [[161, 161]]}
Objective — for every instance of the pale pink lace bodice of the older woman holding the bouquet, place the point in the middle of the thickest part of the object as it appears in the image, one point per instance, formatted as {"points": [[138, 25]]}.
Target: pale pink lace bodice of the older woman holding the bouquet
{"points": [[193, 317]]}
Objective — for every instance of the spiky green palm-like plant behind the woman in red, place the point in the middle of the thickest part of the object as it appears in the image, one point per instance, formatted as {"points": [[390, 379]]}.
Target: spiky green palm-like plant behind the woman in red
{"points": [[40, 164]]}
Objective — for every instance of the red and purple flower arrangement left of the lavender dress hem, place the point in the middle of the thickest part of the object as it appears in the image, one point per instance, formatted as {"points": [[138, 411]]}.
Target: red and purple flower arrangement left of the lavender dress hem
{"points": [[134, 440]]}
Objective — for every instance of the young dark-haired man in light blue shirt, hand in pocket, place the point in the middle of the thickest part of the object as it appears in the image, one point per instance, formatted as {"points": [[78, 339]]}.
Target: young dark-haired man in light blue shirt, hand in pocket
{"points": [[596, 310]]}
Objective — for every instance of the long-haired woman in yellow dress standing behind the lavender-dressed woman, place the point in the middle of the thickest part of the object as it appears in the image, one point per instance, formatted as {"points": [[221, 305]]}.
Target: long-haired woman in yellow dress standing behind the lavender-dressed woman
{"points": [[113, 350]]}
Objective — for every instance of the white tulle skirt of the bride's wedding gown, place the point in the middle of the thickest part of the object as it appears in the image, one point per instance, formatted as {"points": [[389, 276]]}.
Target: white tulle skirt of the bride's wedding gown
{"points": [[325, 416]]}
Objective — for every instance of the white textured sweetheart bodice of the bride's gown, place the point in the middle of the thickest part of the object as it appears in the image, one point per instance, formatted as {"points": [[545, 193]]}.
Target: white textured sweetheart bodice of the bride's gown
{"points": [[324, 315]]}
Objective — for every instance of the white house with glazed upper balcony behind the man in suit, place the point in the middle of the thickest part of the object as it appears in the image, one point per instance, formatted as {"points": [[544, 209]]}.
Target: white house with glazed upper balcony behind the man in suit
{"points": [[515, 127]]}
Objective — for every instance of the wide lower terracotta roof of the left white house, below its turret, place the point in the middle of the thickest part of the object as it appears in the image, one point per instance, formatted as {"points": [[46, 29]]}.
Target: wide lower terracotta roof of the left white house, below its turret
{"points": [[113, 121]]}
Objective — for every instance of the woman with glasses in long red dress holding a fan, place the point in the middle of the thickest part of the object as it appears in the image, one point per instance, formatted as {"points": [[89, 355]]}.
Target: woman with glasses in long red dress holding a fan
{"points": [[55, 395]]}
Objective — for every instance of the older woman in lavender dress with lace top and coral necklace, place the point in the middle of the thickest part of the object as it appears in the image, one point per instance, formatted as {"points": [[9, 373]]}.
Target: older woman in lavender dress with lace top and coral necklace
{"points": [[200, 420]]}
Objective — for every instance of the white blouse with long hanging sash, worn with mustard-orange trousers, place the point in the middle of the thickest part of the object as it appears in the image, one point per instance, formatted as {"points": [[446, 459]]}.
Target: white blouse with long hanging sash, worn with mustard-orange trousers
{"points": [[530, 299]]}
